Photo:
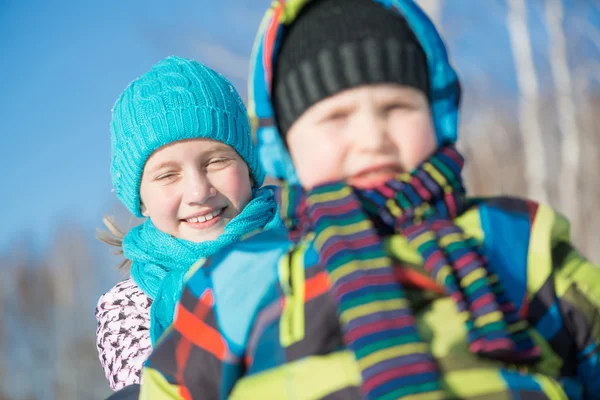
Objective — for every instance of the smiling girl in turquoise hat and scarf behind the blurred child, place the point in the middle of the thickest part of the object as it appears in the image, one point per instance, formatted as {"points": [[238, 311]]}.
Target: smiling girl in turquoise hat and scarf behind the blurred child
{"points": [[183, 157]]}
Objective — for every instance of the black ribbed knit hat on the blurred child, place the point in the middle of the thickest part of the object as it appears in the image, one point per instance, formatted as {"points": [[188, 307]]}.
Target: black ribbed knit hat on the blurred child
{"points": [[335, 45]]}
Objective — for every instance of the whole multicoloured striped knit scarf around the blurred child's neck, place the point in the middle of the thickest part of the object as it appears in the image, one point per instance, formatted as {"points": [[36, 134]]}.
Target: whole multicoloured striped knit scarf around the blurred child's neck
{"points": [[374, 312]]}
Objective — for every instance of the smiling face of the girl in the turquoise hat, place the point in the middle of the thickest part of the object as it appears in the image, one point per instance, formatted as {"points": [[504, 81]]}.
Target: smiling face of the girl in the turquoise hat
{"points": [[192, 189]]}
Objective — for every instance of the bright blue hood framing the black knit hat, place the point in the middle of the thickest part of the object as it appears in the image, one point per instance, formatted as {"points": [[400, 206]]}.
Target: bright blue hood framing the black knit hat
{"points": [[444, 84]]}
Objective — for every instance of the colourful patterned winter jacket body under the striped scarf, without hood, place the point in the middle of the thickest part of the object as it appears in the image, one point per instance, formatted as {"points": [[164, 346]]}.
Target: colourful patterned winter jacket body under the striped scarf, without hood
{"points": [[257, 321]]}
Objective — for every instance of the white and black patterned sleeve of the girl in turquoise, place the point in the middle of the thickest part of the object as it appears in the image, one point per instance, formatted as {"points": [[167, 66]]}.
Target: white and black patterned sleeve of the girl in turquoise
{"points": [[122, 334]]}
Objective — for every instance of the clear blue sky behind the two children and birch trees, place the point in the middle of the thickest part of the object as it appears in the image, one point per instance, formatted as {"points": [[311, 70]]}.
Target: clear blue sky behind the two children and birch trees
{"points": [[65, 62]]}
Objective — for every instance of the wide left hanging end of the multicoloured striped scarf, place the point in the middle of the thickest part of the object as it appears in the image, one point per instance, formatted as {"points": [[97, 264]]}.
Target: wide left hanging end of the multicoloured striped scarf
{"points": [[376, 318]]}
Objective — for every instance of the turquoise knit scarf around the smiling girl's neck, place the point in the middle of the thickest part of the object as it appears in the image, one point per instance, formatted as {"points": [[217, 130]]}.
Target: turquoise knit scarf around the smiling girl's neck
{"points": [[161, 261]]}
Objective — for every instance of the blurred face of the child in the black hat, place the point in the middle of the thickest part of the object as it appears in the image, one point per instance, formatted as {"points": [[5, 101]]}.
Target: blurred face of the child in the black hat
{"points": [[364, 136]]}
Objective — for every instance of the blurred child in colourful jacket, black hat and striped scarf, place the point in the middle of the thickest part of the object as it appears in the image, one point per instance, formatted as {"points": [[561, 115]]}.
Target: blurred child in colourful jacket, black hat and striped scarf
{"points": [[390, 282]]}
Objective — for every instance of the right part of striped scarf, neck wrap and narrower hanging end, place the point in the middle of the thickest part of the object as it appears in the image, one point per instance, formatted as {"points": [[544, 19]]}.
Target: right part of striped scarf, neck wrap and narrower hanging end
{"points": [[421, 206]]}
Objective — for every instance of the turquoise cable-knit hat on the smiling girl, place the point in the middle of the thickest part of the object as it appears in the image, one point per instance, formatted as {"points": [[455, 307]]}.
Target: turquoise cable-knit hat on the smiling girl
{"points": [[177, 99]]}
